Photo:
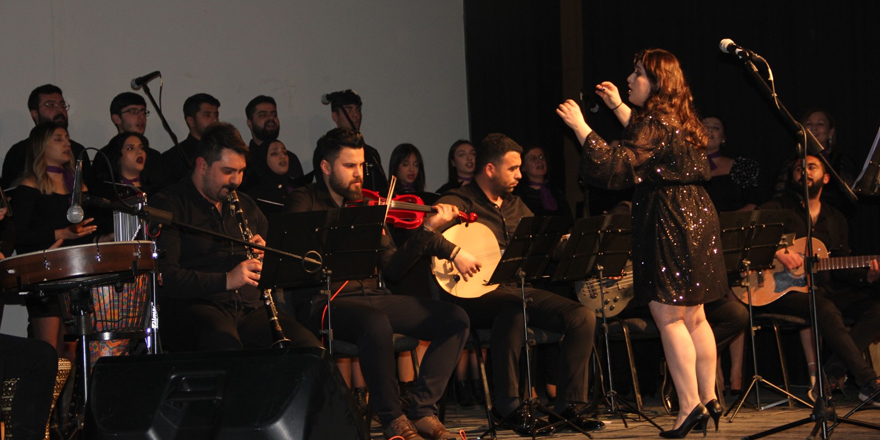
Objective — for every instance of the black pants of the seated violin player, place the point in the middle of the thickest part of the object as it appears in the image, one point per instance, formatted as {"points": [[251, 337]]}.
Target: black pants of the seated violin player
{"points": [[371, 321]]}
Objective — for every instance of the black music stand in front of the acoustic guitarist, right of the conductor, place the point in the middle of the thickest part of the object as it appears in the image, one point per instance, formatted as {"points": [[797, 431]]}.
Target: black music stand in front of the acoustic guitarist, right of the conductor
{"points": [[749, 241]]}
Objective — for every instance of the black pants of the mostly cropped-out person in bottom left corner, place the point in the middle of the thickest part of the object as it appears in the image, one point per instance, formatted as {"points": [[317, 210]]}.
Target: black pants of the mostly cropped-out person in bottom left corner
{"points": [[35, 364]]}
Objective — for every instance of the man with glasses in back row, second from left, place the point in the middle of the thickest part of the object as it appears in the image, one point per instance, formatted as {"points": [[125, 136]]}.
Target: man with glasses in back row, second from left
{"points": [[128, 112]]}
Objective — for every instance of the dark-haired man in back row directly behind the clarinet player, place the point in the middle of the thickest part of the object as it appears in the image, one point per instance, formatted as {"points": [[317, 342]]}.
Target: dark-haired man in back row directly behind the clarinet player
{"points": [[199, 111]]}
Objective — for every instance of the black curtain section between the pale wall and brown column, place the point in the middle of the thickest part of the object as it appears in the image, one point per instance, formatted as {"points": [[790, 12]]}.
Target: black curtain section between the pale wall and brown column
{"points": [[514, 73]]}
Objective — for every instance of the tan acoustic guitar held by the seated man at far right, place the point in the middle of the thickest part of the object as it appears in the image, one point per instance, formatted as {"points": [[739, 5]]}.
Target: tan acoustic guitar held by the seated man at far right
{"points": [[771, 284]]}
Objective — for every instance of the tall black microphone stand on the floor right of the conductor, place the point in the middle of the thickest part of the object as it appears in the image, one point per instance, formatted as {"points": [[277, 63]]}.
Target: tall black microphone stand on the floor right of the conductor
{"points": [[823, 411]]}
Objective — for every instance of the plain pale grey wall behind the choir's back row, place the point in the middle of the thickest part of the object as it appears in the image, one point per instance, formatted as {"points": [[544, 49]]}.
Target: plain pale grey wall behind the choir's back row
{"points": [[404, 57]]}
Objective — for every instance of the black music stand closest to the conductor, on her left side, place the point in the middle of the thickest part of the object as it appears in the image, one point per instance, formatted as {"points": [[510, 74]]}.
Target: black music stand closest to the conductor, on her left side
{"points": [[600, 245]]}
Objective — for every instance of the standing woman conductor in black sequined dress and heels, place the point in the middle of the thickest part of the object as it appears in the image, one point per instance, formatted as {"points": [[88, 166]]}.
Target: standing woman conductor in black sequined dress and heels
{"points": [[678, 264]]}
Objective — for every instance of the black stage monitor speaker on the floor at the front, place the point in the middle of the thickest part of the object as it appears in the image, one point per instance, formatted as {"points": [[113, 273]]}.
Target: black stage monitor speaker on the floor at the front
{"points": [[249, 394]]}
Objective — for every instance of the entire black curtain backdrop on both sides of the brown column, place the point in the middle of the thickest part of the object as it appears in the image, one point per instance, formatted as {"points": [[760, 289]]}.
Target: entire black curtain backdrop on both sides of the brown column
{"points": [[821, 54]]}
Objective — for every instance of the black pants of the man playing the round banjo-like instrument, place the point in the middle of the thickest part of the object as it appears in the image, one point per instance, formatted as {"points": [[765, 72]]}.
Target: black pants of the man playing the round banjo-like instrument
{"points": [[501, 311]]}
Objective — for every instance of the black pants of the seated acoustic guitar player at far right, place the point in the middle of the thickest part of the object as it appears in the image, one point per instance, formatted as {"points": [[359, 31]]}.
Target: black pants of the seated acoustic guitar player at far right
{"points": [[846, 346]]}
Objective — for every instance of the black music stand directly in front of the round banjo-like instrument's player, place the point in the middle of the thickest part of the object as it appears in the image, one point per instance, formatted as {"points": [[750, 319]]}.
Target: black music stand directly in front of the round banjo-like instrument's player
{"points": [[526, 256]]}
